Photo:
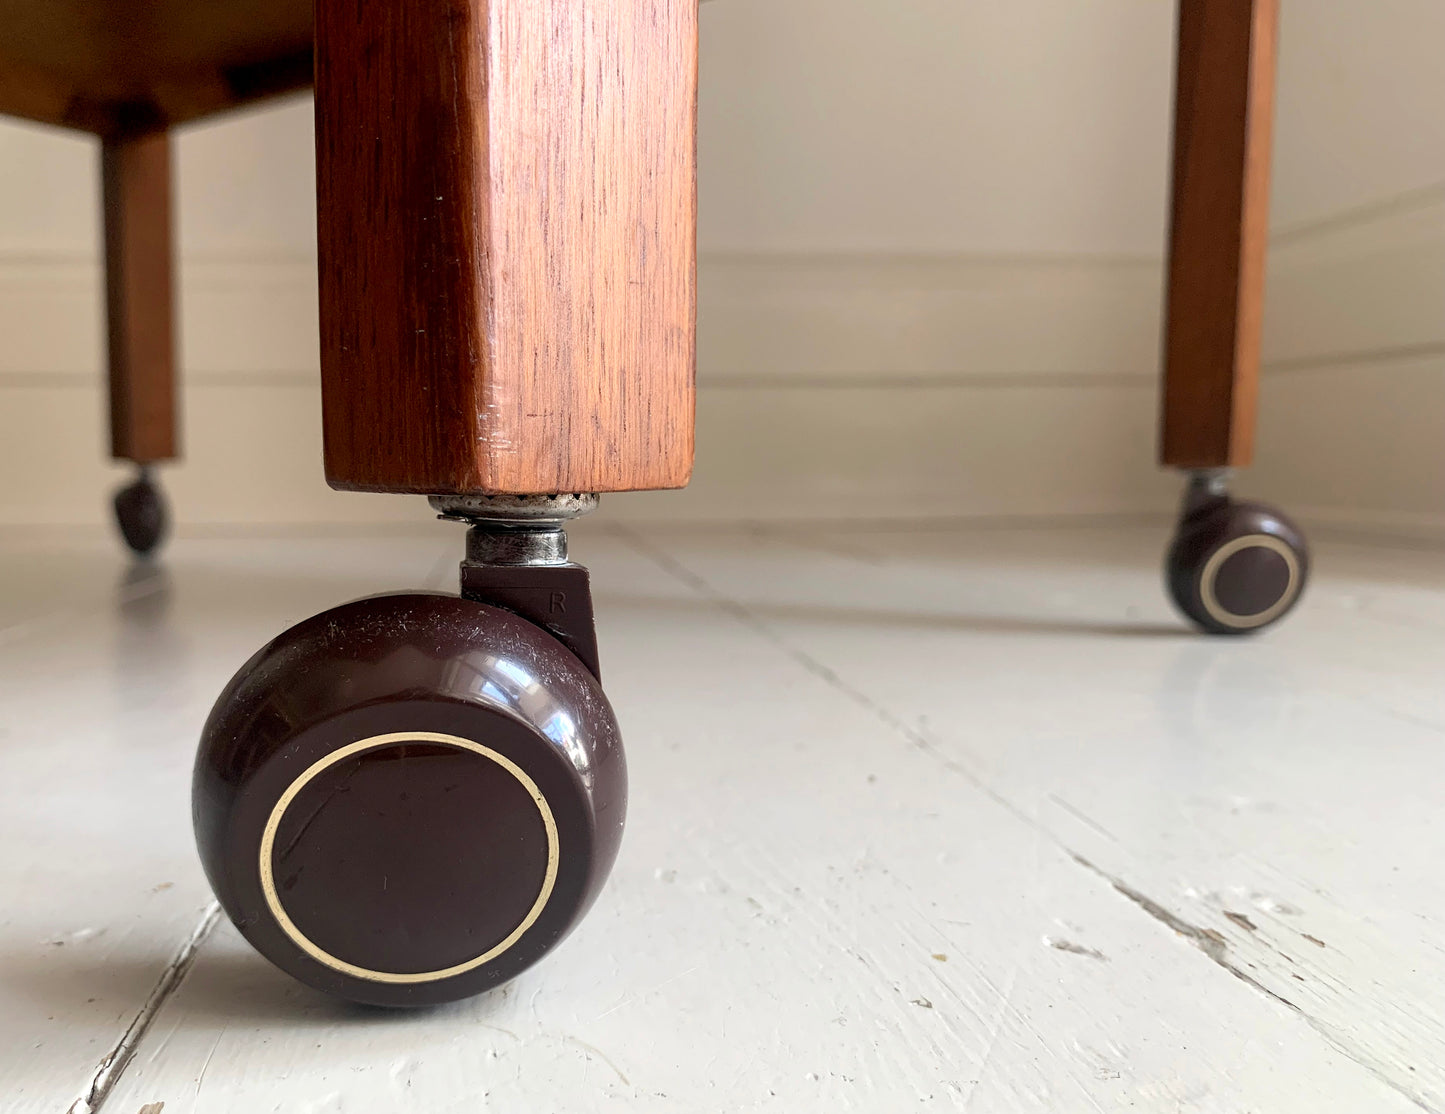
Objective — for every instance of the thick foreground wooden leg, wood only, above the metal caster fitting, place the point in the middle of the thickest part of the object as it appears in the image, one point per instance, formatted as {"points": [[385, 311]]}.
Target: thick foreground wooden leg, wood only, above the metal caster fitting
{"points": [[508, 216]]}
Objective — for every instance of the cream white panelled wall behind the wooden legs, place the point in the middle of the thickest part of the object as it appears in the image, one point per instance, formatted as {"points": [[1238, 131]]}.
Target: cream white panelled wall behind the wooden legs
{"points": [[931, 236]]}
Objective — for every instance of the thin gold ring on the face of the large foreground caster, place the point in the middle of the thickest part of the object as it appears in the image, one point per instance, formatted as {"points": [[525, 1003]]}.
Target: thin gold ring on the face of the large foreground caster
{"points": [[375, 742]]}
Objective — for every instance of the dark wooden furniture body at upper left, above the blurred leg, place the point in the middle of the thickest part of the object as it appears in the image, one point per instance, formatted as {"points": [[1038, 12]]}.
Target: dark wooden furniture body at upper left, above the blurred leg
{"points": [[125, 67]]}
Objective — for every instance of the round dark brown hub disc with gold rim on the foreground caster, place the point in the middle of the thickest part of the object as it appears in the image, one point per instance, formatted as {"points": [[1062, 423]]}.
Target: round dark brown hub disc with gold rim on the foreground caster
{"points": [[410, 858]]}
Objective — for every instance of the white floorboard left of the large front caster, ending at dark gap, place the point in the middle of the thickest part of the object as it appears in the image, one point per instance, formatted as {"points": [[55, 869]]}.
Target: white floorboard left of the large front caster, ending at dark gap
{"points": [[106, 675]]}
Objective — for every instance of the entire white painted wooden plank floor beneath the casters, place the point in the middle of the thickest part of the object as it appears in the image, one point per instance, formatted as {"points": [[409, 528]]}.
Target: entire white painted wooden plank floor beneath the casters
{"points": [[986, 832]]}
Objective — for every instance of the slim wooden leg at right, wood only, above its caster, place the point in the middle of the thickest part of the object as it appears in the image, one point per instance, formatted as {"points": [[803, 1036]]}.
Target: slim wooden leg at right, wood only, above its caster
{"points": [[1219, 230]]}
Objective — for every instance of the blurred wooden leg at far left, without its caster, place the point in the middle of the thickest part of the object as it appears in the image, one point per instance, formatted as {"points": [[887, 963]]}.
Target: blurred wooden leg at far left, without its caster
{"points": [[141, 298]]}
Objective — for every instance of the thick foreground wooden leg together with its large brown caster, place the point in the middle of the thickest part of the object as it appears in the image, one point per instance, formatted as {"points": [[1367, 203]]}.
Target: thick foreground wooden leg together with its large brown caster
{"points": [[506, 248]]}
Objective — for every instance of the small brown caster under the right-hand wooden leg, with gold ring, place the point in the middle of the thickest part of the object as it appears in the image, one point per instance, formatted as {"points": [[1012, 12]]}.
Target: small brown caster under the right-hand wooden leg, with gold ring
{"points": [[1235, 567]]}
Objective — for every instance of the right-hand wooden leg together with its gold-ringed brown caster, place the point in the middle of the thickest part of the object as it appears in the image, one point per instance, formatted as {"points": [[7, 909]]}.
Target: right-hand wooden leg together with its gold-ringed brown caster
{"points": [[1235, 567]]}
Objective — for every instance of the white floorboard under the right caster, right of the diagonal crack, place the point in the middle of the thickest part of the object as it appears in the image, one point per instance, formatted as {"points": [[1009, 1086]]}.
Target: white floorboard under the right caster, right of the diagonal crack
{"points": [[1274, 803]]}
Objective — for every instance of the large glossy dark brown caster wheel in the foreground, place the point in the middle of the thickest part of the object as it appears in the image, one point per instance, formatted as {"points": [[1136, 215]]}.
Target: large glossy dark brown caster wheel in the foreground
{"points": [[410, 800]]}
